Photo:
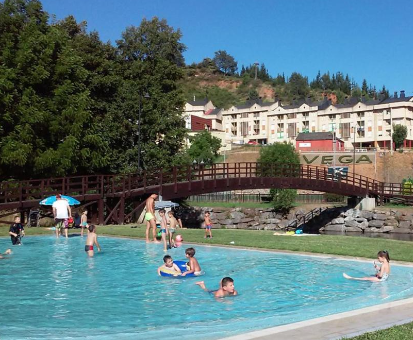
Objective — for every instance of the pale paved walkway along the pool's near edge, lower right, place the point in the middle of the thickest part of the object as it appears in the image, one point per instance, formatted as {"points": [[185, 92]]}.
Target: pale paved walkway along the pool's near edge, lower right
{"points": [[338, 326]]}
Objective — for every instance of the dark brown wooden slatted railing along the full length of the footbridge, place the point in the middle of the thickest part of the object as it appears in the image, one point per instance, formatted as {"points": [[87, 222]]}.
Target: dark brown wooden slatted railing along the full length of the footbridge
{"points": [[19, 191]]}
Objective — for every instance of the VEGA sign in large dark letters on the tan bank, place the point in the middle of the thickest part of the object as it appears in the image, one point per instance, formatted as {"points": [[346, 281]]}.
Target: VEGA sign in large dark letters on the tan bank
{"points": [[327, 158]]}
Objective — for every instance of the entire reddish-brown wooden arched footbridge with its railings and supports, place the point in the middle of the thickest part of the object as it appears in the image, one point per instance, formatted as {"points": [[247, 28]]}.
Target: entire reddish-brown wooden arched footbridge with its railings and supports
{"points": [[116, 198]]}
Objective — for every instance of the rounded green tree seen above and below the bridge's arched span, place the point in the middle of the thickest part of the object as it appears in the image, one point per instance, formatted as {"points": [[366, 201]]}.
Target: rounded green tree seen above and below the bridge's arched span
{"points": [[279, 153]]}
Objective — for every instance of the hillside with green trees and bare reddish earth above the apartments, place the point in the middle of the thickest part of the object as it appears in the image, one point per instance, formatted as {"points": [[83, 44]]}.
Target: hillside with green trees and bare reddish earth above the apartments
{"points": [[207, 80]]}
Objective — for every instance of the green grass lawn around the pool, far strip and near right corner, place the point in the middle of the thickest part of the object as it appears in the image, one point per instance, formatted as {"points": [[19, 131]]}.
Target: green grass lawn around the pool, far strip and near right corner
{"points": [[323, 244]]}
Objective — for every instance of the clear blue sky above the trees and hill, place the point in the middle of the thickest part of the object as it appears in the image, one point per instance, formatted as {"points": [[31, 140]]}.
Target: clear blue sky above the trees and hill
{"points": [[365, 38]]}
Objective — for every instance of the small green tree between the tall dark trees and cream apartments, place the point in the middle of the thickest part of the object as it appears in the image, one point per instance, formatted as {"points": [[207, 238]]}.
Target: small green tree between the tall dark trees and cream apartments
{"points": [[204, 147]]}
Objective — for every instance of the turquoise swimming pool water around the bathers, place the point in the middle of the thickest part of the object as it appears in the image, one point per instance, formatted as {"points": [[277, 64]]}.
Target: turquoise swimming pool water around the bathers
{"points": [[50, 290]]}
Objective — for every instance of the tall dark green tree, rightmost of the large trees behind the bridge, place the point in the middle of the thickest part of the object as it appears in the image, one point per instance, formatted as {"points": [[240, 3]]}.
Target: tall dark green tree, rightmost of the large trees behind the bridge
{"points": [[151, 56]]}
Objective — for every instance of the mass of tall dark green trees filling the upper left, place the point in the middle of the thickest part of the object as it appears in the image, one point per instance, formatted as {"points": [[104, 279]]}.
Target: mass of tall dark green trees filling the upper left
{"points": [[70, 103]]}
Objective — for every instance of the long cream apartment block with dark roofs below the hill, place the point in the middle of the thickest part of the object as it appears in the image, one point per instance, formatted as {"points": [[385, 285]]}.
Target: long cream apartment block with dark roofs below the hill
{"points": [[356, 122]]}
